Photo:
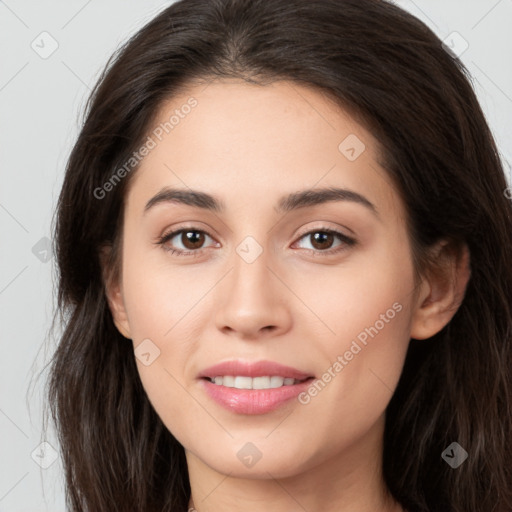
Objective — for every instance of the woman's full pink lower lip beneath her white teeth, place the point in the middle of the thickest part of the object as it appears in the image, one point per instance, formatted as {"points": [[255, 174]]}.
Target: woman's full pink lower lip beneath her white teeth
{"points": [[253, 401]]}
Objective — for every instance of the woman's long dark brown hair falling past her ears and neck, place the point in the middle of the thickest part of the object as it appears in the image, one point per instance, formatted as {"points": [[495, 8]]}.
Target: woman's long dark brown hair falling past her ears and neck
{"points": [[395, 77]]}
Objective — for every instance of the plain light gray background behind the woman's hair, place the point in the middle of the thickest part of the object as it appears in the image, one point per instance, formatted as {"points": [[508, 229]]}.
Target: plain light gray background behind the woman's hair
{"points": [[40, 103]]}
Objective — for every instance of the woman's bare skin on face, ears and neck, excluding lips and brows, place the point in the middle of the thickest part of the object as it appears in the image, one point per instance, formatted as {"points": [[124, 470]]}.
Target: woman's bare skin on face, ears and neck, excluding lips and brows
{"points": [[249, 145]]}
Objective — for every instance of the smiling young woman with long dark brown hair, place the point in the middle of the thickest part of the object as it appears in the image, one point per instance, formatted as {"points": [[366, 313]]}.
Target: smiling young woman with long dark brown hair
{"points": [[346, 348]]}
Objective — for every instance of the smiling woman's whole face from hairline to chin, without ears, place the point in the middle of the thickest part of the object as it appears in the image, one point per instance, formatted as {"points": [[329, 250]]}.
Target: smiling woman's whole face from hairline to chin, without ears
{"points": [[280, 271]]}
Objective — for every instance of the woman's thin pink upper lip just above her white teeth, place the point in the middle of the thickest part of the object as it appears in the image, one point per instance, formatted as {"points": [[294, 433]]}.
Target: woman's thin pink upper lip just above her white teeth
{"points": [[253, 369]]}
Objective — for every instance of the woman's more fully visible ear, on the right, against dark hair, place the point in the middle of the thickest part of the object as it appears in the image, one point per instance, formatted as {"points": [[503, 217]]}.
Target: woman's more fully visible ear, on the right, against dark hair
{"points": [[442, 291]]}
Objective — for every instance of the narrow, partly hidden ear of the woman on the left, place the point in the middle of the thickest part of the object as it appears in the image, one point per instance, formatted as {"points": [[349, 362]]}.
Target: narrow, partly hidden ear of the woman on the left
{"points": [[113, 292]]}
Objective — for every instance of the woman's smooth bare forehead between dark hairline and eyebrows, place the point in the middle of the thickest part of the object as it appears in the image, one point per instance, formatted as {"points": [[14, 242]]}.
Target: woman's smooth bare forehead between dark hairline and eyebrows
{"points": [[228, 137]]}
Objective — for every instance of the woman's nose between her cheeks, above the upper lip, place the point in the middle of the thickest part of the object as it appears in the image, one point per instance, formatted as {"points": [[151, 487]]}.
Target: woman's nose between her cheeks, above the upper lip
{"points": [[253, 300]]}
